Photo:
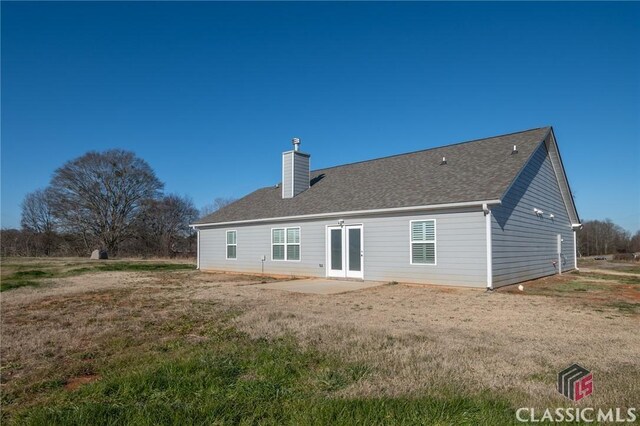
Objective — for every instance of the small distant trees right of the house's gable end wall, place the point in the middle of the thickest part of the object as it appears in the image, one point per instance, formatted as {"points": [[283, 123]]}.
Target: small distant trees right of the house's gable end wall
{"points": [[599, 237]]}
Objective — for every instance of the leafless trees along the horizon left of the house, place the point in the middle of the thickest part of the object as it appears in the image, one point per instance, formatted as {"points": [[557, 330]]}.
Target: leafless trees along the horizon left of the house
{"points": [[110, 201]]}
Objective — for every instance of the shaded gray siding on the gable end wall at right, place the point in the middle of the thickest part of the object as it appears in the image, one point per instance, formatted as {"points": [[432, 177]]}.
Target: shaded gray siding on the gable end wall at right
{"points": [[524, 245]]}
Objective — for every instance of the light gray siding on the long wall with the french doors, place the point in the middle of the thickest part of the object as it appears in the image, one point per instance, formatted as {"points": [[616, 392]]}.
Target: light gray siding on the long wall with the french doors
{"points": [[460, 249]]}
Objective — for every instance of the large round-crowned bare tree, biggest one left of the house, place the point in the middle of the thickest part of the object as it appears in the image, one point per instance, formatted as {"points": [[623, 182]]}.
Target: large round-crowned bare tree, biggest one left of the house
{"points": [[100, 194]]}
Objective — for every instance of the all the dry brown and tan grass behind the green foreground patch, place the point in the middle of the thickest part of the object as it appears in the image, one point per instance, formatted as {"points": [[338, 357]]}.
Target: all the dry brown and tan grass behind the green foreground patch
{"points": [[412, 340]]}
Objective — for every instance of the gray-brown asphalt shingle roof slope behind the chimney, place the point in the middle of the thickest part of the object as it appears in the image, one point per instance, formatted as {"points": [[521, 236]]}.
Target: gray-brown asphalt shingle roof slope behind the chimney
{"points": [[477, 170]]}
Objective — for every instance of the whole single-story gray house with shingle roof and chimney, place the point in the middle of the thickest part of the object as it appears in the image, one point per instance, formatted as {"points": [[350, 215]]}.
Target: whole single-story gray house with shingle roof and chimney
{"points": [[484, 213]]}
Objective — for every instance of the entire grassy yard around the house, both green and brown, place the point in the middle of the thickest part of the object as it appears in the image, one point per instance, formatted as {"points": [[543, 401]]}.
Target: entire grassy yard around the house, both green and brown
{"points": [[156, 342]]}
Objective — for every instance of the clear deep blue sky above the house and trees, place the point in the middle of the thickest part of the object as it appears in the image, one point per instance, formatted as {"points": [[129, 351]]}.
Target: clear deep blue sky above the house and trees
{"points": [[210, 94]]}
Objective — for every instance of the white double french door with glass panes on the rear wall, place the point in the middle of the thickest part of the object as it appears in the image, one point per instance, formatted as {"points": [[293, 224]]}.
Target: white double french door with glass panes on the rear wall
{"points": [[345, 251]]}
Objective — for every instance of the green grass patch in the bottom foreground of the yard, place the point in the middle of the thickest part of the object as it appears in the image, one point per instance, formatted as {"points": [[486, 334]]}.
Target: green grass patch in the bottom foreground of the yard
{"points": [[232, 379]]}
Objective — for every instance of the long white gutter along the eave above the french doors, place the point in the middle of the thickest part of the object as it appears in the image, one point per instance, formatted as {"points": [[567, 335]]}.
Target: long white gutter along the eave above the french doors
{"points": [[353, 213]]}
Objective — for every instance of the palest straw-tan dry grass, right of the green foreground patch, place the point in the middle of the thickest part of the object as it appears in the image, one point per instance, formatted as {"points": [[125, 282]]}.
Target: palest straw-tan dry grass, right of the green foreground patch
{"points": [[418, 339]]}
